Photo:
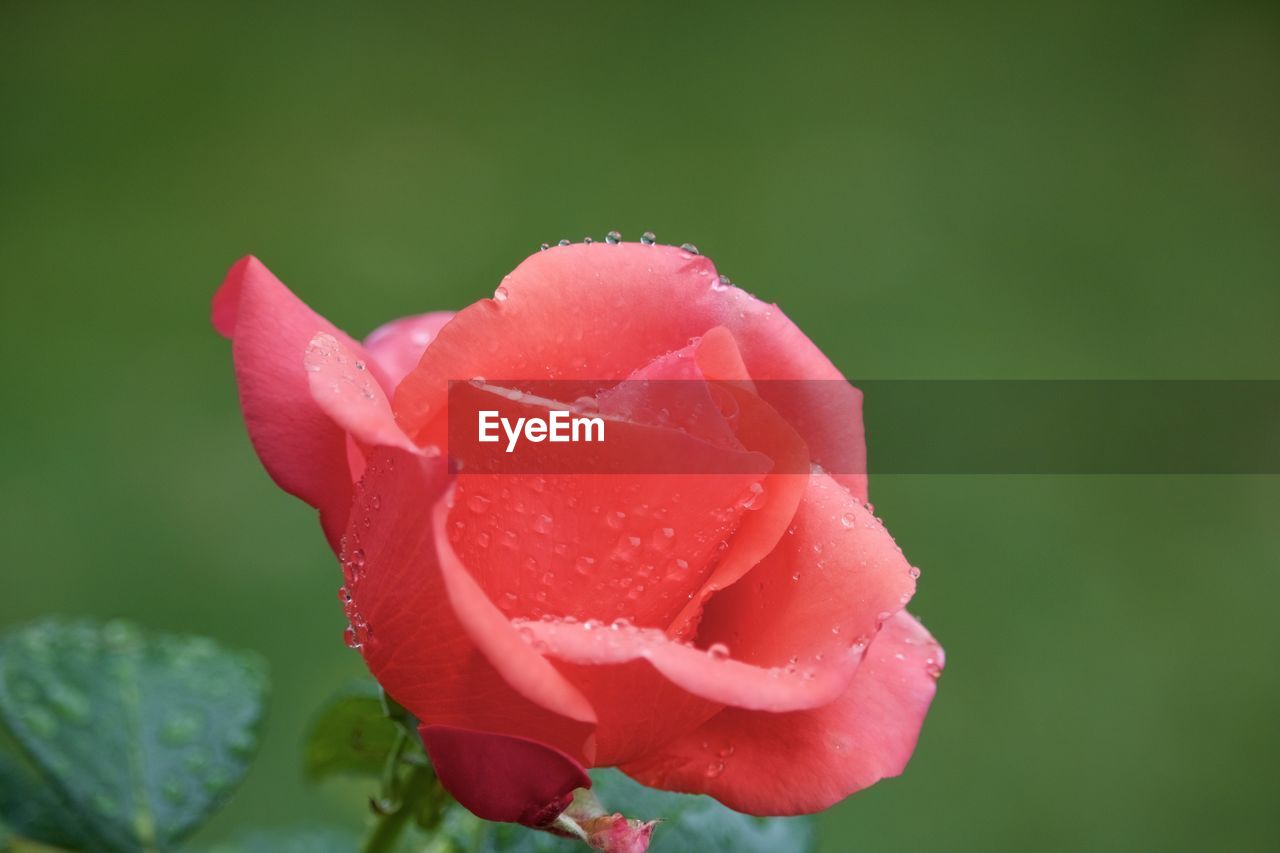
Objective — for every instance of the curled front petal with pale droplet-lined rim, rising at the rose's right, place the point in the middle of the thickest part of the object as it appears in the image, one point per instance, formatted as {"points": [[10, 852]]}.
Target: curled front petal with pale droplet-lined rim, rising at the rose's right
{"points": [[790, 636]]}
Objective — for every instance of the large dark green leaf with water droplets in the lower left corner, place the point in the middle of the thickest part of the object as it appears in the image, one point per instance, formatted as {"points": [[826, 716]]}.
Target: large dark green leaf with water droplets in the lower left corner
{"points": [[141, 735]]}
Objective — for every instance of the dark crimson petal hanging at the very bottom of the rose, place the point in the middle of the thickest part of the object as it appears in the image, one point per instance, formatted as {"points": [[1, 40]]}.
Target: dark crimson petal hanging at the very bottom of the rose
{"points": [[504, 779]]}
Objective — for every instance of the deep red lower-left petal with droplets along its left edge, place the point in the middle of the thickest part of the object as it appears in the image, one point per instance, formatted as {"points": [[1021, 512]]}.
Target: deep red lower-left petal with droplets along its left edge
{"points": [[417, 647]]}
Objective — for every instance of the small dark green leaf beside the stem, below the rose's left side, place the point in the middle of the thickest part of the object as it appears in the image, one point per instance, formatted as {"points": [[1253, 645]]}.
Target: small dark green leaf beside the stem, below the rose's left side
{"points": [[351, 736]]}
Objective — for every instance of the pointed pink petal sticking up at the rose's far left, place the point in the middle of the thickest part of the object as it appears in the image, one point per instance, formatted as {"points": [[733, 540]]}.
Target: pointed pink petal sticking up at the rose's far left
{"points": [[303, 450]]}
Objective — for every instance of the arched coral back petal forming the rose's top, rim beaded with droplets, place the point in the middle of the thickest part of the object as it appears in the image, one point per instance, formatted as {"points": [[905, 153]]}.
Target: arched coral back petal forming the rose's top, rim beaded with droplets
{"points": [[621, 299]]}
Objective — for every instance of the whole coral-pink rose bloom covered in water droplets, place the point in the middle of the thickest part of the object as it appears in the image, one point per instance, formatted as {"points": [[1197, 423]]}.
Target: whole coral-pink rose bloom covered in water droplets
{"points": [[740, 635]]}
